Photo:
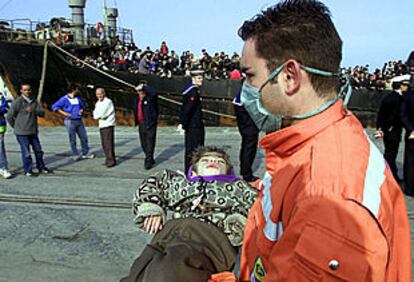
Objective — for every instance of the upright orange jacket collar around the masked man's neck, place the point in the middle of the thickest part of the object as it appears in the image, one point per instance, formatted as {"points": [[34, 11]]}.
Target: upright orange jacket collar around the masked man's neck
{"points": [[289, 140]]}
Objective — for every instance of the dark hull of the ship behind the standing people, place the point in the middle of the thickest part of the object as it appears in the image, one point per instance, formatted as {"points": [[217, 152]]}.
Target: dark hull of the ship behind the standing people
{"points": [[23, 62]]}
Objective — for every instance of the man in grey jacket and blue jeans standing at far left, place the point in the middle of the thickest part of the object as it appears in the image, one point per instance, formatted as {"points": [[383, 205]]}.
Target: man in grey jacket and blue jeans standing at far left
{"points": [[22, 116]]}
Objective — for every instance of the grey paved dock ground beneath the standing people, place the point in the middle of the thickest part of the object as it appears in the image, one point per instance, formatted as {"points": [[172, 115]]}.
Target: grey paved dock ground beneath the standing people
{"points": [[76, 224]]}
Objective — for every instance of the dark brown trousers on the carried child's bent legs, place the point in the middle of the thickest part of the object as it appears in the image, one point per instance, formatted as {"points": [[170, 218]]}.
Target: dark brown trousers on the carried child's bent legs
{"points": [[184, 250]]}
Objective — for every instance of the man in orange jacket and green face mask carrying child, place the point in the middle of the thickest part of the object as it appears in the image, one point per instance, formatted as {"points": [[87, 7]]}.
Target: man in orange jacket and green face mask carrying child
{"points": [[330, 209]]}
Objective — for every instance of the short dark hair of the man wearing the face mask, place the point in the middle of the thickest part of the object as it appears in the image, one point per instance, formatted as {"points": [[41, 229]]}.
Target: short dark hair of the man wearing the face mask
{"points": [[301, 30]]}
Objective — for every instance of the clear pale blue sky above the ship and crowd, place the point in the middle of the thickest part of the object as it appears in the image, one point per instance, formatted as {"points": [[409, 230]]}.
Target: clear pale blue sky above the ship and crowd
{"points": [[373, 31]]}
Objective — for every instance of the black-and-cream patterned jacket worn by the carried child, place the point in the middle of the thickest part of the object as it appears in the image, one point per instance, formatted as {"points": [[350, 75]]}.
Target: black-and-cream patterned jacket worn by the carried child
{"points": [[224, 204]]}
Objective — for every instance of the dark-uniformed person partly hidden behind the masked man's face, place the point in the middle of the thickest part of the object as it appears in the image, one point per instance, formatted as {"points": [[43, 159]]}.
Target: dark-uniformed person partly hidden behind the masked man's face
{"points": [[249, 137]]}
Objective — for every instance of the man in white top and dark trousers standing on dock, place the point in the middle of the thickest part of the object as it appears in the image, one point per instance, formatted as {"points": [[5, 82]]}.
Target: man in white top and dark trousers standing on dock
{"points": [[104, 112]]}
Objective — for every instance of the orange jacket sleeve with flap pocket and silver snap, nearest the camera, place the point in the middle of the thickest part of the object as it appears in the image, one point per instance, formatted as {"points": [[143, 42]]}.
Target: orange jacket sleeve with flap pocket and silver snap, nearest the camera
{"points": [[329, 239]]}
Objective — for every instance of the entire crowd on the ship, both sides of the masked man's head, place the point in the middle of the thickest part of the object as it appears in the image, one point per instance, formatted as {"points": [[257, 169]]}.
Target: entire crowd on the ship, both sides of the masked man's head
{"points": [[166, 63]]}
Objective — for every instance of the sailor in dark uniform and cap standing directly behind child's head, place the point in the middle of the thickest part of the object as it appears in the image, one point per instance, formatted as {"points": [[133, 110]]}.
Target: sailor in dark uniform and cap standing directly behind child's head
{"points": [[191, 117]]}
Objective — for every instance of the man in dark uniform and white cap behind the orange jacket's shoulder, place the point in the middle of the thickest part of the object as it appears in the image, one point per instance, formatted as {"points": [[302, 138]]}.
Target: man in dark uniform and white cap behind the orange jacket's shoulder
{"points": [[389, 125]]}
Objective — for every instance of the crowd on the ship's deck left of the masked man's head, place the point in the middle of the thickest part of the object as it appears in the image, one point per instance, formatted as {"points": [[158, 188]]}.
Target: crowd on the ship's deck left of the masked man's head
{"points": [[165, 62]]}
